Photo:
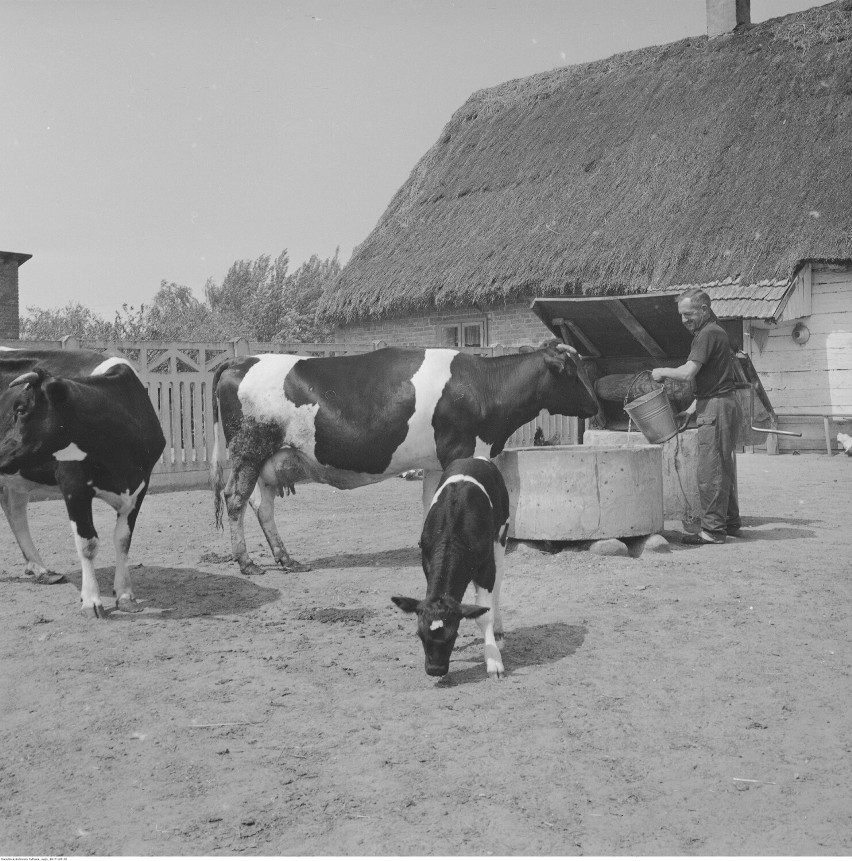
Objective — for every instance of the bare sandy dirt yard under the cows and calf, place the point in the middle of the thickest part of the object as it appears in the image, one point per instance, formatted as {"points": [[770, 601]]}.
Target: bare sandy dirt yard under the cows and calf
{"points": [[690, 703]]}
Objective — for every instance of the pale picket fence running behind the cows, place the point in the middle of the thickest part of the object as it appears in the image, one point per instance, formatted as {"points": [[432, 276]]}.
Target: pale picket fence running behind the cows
{"points": [[179, 376]]}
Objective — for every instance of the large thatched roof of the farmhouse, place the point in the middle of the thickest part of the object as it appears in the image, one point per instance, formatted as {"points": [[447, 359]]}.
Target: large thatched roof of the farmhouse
{"points": [[686, 163]]}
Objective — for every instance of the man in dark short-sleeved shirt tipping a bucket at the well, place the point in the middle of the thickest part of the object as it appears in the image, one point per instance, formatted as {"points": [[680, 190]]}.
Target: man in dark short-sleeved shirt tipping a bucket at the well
{"points": [[710, 366]]}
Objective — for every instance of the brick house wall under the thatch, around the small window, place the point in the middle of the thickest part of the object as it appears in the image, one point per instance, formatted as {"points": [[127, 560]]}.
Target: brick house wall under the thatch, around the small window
{"points": [[509, 326]]}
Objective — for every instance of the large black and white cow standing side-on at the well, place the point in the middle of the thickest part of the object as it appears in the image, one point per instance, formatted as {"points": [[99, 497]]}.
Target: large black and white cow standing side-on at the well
{"points": [[352, 420]]}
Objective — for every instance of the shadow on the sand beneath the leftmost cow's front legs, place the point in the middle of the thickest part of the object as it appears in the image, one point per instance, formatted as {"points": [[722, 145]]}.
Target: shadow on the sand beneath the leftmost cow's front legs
{"points": [[182, 593]]}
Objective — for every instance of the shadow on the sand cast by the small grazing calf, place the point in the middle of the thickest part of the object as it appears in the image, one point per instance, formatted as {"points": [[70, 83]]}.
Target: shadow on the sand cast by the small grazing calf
{"points": [[523, 647]]}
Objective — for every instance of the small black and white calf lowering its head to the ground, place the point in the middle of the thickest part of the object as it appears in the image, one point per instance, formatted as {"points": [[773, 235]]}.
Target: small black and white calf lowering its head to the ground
{"points": [[463, 541]]}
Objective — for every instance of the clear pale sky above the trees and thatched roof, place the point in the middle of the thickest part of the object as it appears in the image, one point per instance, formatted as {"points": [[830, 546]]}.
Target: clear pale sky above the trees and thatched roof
{"points": [[150, 140]]}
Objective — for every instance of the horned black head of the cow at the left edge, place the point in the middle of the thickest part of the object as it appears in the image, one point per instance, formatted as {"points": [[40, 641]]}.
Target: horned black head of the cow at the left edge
{"points": [[34, 420]]}
